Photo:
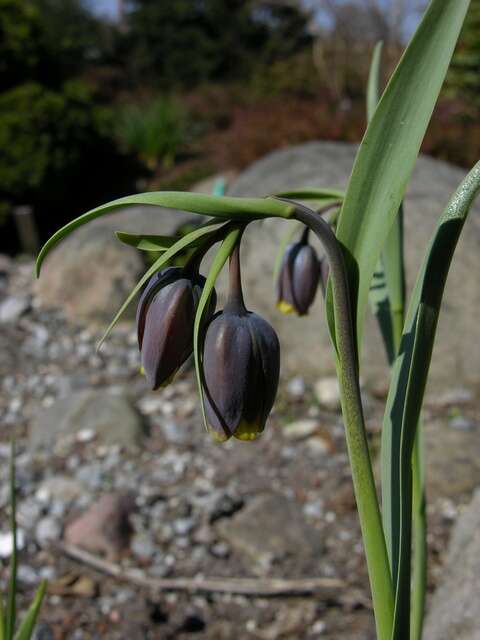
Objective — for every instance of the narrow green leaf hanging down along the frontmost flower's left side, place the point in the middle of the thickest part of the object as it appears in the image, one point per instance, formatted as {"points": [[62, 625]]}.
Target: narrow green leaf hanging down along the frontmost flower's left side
{"points": [[226, 248]]}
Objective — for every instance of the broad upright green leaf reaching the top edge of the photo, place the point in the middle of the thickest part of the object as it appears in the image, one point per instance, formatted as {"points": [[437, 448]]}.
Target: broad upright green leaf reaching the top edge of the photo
{"points": [[389, 149]]}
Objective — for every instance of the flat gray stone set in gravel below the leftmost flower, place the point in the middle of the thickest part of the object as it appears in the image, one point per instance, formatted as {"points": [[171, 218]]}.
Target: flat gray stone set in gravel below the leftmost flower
{"points": [[112, 417]]}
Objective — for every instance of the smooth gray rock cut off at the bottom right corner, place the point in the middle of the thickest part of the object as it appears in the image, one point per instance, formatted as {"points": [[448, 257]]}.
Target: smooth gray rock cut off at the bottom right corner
{"points": [[454, 607]]}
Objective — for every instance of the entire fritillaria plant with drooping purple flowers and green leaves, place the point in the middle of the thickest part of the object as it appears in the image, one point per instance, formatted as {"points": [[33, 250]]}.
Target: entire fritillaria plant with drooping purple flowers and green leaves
{"points": [[236, 352]]}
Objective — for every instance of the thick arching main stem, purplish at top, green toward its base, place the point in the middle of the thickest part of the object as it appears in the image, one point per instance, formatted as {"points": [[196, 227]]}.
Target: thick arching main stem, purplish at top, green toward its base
{"points": [[362, 475]]}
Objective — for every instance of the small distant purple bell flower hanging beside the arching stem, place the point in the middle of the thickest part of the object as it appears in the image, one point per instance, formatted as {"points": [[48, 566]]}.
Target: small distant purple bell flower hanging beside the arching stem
{"points": [[299, 276]]}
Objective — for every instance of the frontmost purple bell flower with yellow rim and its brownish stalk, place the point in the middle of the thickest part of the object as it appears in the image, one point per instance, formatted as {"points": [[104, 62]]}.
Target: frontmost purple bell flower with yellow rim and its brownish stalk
{"points": [[241, 363]]}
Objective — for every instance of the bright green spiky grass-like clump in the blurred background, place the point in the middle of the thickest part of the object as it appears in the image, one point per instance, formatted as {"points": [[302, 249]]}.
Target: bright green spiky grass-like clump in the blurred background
{"points": [[156, 132]]}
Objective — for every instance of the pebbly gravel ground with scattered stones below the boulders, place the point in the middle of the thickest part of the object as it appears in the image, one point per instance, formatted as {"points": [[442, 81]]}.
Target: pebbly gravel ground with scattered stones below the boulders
{"points": [[199, 509]]}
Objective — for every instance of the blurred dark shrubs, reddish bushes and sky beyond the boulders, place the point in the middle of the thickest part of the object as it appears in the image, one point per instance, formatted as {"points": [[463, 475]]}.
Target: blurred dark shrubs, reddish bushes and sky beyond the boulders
{"points": [[100, 98]]}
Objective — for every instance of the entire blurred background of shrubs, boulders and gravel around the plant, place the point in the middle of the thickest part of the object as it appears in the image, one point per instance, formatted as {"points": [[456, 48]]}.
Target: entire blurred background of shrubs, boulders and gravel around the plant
{"points": [[103, 98]]}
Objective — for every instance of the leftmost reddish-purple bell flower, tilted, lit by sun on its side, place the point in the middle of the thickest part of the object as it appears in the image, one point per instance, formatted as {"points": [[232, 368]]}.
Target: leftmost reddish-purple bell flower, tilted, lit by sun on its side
{"points": [[165, 318]]}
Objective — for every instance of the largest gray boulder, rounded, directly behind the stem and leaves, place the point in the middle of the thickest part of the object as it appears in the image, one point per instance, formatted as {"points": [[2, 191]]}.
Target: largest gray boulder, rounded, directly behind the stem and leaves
{"points": [[306, 348]]}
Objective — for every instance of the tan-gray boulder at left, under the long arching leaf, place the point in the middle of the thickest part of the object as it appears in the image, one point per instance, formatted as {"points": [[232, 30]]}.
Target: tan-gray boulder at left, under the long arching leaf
{"points": [[90, 273]]}
